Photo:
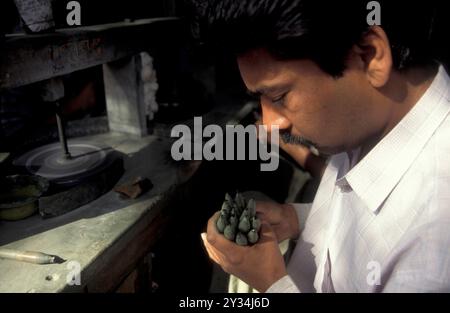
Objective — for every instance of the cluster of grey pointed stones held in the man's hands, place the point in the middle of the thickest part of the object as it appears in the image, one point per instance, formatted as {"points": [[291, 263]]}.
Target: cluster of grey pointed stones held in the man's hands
{"points": [[238, 221]]}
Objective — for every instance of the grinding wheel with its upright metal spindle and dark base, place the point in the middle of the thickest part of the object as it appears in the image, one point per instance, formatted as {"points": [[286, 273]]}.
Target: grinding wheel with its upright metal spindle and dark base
{"points": [[79, 171]]}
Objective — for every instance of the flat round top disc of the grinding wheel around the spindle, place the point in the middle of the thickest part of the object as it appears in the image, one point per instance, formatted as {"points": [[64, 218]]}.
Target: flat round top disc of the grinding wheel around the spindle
{"points": [[87, 159]]}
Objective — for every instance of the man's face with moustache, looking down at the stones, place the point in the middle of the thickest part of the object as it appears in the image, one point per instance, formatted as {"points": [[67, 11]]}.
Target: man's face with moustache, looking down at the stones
{"points": [[335, 115]]}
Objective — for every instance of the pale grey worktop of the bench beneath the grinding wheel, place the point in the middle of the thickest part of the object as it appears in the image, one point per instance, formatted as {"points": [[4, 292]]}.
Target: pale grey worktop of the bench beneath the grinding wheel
{"points": [[93, 234]]}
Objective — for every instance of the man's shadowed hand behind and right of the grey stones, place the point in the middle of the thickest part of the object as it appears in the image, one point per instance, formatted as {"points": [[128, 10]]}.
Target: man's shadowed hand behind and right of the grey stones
{"points": [[281, 217]]}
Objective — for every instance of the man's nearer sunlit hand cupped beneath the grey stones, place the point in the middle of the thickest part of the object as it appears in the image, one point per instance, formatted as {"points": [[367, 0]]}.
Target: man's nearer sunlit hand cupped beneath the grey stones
{"points": [[260, 265]]}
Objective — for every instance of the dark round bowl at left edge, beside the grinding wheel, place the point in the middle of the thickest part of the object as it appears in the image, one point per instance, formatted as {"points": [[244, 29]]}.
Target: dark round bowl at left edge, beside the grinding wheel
{"points": [[19, 195]]}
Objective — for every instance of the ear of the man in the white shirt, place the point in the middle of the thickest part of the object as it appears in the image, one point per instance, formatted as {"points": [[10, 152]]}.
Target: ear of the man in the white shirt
{"points": [[375, 53]]}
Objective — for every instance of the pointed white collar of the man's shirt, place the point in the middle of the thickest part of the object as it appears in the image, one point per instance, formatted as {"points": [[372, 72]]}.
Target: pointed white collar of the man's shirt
{"points": [[376, 175]]}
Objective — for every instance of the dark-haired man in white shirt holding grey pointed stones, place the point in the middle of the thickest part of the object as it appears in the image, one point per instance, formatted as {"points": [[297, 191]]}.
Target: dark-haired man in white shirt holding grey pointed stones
{"points": [[374, 99]]}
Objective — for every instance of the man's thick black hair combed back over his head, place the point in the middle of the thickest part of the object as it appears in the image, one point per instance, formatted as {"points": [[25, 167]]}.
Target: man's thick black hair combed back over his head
{"points": [[323, 31]]}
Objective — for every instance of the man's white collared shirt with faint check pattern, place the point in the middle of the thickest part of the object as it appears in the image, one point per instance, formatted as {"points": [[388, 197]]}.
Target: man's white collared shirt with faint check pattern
{"points": [[382, 225]]}
